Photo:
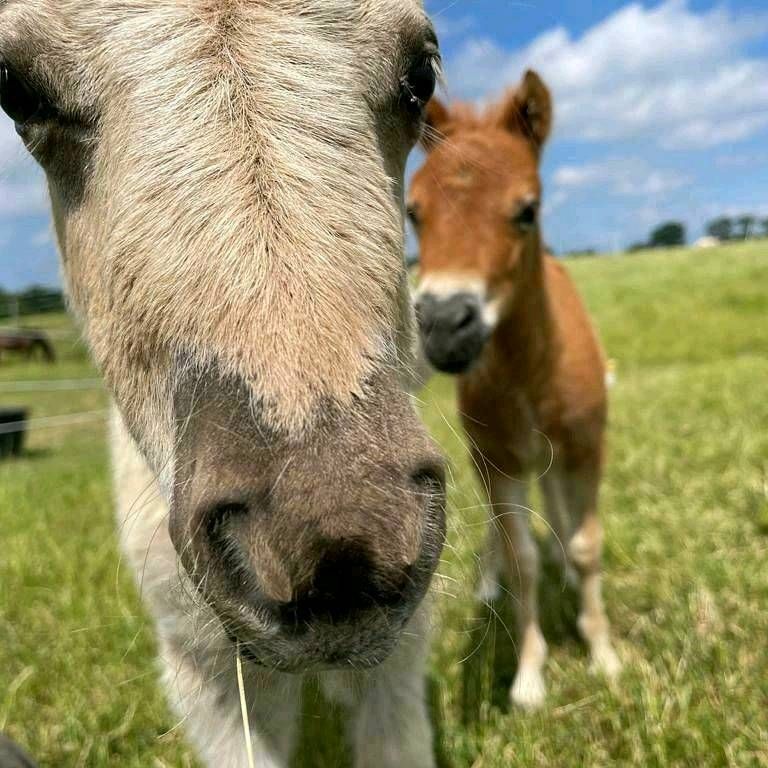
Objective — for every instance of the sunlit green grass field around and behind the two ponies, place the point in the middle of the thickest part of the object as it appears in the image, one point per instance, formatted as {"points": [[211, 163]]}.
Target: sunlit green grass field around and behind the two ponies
{"points": [[685, 506]]}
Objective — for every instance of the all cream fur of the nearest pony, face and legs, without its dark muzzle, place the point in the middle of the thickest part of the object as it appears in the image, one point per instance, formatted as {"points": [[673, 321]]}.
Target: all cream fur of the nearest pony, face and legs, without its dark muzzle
{"points": [[228, 194]]}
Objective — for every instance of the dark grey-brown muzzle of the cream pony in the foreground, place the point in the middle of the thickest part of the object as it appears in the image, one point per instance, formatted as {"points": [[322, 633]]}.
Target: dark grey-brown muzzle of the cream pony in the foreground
{"points": [[324, 543]]}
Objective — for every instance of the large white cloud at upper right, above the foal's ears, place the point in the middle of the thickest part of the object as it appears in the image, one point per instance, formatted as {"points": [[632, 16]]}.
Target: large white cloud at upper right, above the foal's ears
{"points": [[666, 73]]}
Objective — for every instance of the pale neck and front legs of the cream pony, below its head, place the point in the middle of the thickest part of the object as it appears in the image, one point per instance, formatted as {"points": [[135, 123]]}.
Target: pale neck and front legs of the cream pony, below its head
{"points": [[389, 722]]}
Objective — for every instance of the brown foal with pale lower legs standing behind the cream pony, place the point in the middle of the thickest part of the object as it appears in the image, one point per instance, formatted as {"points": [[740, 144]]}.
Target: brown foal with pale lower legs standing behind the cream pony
{"points": [[499, 312]]}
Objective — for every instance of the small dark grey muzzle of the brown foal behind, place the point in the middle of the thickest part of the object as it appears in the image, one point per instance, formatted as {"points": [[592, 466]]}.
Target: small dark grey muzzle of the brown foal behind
{"points": [[452, 329]]}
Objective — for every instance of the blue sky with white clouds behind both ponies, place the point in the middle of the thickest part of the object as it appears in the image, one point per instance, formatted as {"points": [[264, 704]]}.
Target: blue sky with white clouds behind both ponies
{"points": [[661, 112]]}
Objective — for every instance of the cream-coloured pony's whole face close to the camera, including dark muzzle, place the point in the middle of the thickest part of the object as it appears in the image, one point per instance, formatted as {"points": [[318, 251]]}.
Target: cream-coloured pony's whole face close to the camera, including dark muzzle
{"points": [[226, 183]]}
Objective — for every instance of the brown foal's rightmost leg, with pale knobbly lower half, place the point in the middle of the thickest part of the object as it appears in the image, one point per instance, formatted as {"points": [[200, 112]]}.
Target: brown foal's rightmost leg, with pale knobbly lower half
{"points": [[585, 552]]}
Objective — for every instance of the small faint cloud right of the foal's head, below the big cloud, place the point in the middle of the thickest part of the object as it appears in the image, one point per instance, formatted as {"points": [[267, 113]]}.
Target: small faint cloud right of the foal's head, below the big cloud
{"points": [[620, 176]]}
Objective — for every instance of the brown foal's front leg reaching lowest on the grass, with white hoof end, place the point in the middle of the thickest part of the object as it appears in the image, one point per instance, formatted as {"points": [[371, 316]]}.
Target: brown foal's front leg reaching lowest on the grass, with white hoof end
{"points": [[509, 500]]}
